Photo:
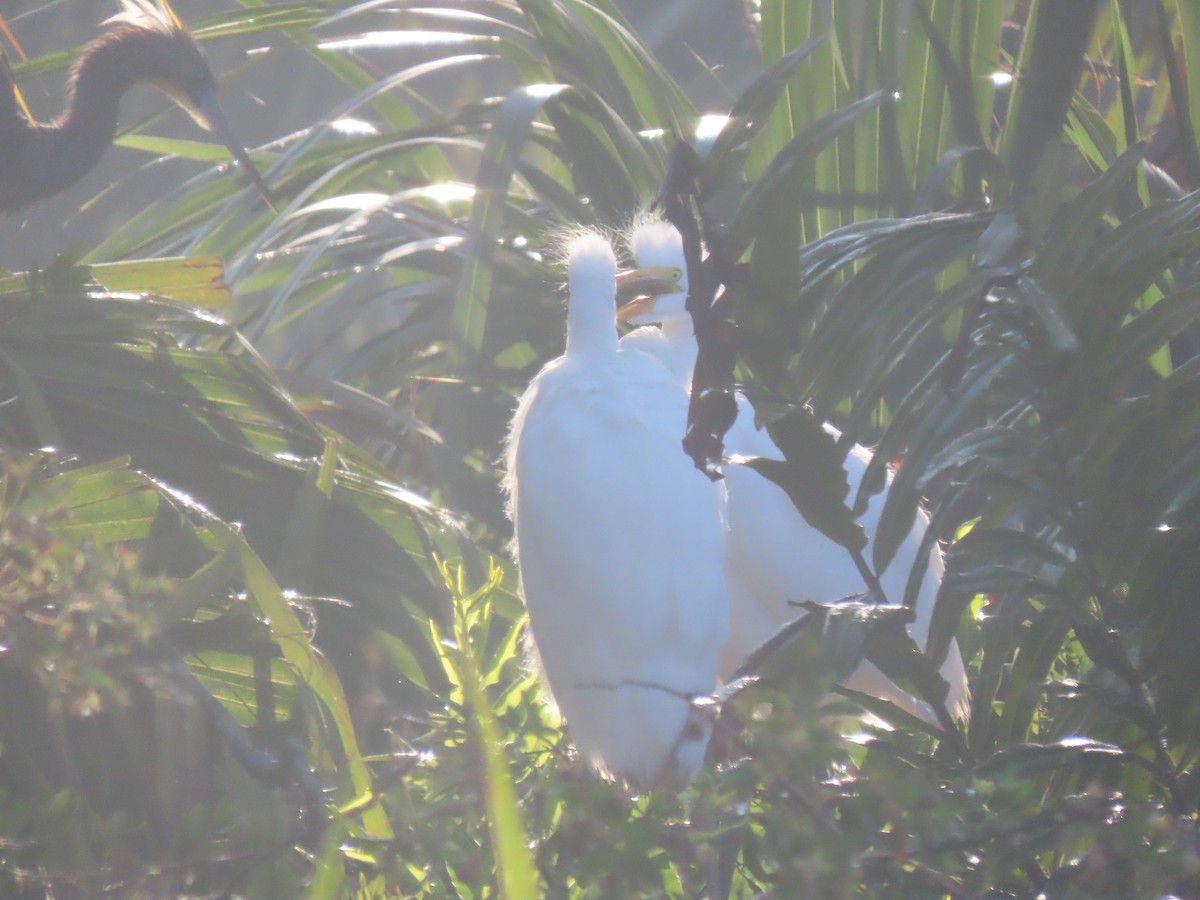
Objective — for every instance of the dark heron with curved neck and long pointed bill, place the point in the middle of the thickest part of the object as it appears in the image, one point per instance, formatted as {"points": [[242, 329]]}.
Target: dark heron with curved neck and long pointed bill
{"points": [[146, 46]]}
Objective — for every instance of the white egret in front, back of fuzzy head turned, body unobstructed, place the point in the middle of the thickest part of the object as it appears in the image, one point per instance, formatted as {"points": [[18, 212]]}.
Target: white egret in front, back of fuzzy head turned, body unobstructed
{"points": [[619, 542]]}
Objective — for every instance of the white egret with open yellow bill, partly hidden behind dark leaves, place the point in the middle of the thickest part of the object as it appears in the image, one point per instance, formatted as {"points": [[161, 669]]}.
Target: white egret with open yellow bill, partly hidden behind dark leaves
{"points": [[772, 555]]}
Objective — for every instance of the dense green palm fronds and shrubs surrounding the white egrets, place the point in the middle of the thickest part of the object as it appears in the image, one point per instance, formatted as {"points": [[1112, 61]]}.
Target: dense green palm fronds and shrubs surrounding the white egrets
{"points": [[269, 538]]}
